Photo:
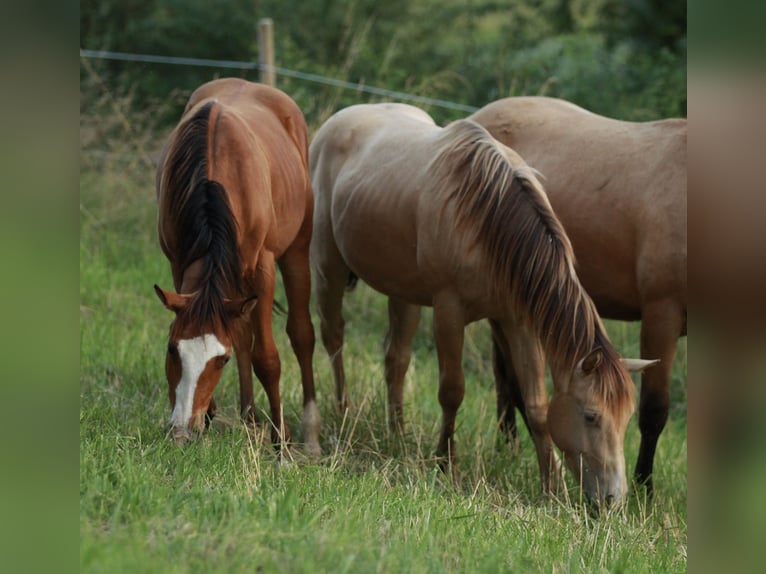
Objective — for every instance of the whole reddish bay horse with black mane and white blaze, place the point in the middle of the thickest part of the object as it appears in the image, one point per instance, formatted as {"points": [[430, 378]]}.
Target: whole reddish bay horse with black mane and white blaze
{"points": [[234, 200]]}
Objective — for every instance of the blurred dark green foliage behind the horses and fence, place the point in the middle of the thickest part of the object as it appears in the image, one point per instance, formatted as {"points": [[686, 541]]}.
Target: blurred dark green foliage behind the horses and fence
{"points": [[620, 58]]}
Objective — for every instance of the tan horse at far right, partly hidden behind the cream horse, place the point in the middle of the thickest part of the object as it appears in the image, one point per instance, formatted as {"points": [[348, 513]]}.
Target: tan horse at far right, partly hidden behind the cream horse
{"points": [[619, 189]]}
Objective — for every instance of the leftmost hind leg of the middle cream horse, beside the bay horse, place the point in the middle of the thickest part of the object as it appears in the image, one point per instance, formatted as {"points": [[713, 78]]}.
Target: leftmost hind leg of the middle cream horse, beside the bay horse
{"points": [[331, 276]]}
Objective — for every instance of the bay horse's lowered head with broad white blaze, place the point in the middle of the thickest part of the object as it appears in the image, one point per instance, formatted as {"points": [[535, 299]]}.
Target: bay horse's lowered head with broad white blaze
{"points": [[196, 355]]}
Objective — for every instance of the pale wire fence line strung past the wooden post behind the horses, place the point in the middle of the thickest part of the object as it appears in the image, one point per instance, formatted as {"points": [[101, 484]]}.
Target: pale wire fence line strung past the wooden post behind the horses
{"points": [[316, 78]]}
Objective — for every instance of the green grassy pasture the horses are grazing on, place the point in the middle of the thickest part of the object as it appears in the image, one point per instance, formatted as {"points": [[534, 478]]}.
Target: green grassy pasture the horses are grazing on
{"points": [[374, 502]]}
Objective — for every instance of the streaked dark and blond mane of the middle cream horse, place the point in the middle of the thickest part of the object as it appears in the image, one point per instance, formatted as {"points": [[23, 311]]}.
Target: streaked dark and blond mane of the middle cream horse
{"points": [[529, 254]]}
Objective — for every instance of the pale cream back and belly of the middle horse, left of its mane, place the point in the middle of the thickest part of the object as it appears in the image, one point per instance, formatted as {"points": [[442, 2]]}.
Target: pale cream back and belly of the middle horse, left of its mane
{"points": [[383, 202]]}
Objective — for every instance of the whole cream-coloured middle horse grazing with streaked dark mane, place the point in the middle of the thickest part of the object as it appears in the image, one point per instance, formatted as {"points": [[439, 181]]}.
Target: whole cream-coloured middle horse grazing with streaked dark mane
{"points": [[450, 218]]}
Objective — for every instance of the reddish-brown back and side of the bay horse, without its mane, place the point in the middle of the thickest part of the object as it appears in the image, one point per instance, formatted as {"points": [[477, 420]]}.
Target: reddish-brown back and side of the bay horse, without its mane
{"points": [[258, 151]]}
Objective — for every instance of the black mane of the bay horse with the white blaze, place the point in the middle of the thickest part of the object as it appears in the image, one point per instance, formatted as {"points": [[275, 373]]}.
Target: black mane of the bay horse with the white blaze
{"points": [[199, 211]]}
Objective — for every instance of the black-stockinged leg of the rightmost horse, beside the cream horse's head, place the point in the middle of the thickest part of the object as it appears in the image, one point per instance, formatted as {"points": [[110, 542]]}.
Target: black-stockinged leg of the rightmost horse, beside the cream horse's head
{"points": [[661, 325]]}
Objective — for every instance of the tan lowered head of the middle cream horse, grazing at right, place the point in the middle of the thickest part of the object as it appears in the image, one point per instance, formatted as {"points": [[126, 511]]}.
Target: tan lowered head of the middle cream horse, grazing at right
{"points": [[587, 421]]}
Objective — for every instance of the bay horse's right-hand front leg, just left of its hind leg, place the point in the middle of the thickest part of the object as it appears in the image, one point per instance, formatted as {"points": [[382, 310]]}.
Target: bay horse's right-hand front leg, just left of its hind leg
{"points": [[265, 356]]}
